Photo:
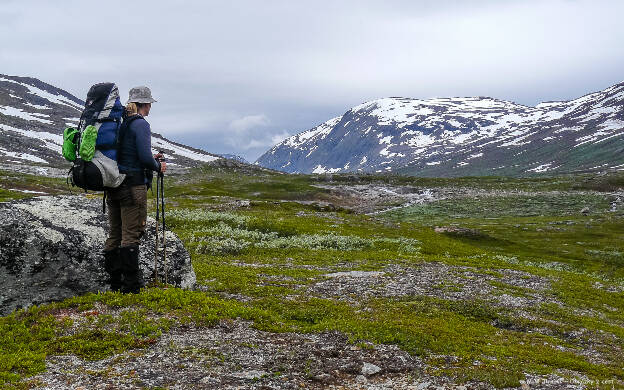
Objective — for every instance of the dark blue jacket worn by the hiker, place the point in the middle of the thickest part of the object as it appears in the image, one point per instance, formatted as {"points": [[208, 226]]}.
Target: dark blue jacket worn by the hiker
{"points": [[135, 150]]}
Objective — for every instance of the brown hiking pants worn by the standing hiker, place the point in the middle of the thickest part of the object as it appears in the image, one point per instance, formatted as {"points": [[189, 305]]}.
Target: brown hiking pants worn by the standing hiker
{"points": [[127, 215]]}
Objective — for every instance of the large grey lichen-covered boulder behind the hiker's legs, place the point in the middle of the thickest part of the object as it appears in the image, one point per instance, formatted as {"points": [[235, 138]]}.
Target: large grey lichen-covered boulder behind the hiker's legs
{"points": [[51, 249]]}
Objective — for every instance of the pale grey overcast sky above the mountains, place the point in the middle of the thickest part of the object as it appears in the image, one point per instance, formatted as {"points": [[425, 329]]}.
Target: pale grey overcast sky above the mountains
{"points": [[239, 76]]}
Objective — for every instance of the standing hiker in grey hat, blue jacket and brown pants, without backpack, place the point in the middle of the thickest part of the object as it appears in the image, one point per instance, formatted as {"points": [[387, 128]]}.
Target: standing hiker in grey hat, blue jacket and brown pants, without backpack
{"points": [[127, 204]]}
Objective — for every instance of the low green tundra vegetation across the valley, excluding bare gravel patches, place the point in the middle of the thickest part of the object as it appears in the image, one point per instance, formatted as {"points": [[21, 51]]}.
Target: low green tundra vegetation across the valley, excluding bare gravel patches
{"points": [[547, 253]]}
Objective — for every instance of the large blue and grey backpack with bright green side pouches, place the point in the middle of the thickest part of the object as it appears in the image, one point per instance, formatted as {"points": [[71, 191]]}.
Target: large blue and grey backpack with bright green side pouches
{"points": [[92, 147]]}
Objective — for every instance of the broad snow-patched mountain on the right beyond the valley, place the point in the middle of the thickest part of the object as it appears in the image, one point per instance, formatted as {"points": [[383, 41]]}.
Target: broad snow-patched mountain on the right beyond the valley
{"points": [[462, 136]]}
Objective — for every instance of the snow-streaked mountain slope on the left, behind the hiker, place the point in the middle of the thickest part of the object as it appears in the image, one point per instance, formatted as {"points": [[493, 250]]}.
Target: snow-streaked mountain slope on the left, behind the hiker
{"points": [[34, 114]]}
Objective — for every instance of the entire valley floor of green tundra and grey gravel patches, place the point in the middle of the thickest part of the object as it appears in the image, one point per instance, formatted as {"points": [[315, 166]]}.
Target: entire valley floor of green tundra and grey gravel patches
{"points": [[352, 282]]}
